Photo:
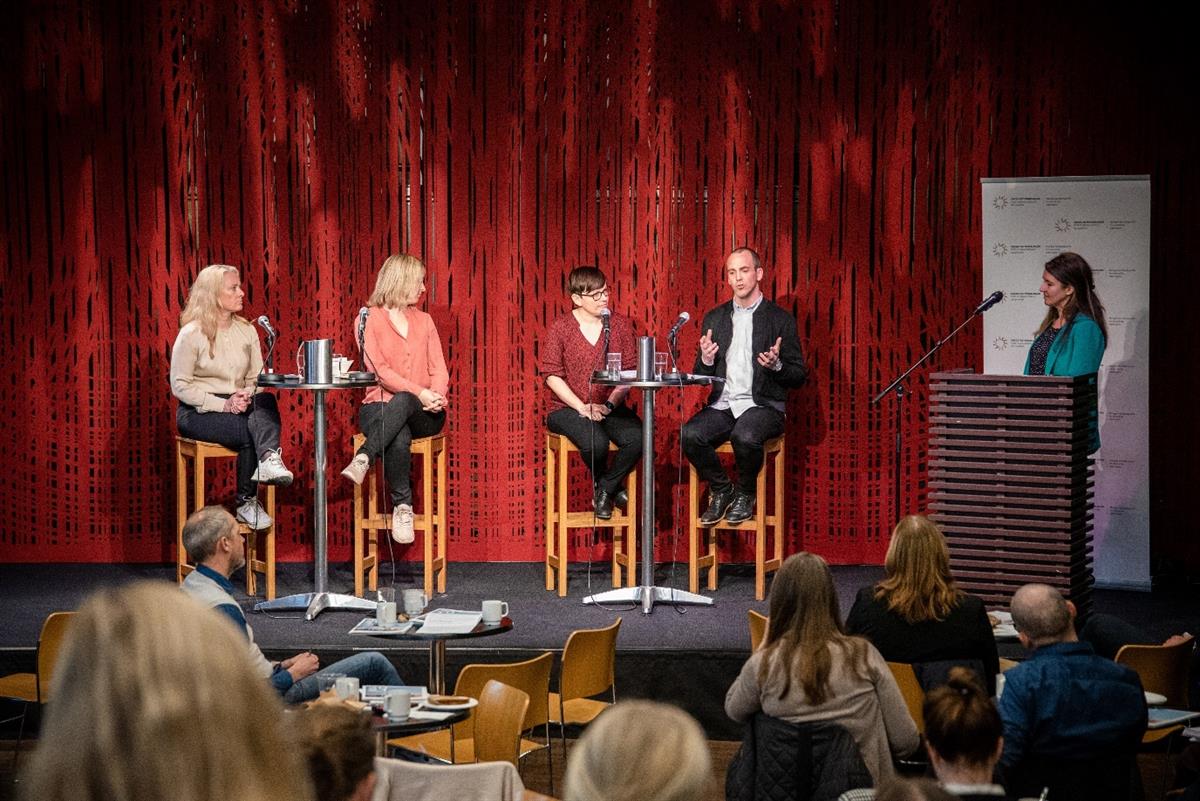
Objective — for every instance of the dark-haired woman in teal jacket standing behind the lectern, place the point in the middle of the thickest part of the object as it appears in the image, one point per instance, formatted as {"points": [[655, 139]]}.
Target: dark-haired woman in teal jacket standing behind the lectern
{"points": [[1073, 336]]}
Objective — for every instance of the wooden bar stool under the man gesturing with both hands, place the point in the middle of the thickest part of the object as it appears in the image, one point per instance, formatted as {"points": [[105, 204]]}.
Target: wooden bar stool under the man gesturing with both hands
{"points": [[776, 453]]}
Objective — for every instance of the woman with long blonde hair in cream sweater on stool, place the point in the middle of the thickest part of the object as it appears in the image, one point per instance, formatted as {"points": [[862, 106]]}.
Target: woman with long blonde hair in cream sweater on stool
{"points": [[214, 372]]}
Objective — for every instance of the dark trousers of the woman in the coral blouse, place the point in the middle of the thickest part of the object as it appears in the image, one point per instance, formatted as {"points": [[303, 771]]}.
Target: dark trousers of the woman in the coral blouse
{"points": [[391, 430]]}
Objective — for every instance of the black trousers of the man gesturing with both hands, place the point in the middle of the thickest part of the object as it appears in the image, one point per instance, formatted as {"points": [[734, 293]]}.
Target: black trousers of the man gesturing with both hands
{"points": [[712, 427]]}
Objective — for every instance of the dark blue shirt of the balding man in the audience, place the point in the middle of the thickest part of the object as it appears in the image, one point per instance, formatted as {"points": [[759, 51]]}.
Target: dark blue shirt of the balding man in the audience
{"points": [[1067, 702]]}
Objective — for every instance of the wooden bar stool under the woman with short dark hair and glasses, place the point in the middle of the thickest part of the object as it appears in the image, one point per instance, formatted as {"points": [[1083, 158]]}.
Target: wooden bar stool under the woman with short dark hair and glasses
{"points": [[560, 520]]}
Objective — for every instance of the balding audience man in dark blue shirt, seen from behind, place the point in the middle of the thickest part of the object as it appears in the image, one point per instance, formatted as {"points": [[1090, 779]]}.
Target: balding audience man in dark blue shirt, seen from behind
{"points": [[1073, 720]]}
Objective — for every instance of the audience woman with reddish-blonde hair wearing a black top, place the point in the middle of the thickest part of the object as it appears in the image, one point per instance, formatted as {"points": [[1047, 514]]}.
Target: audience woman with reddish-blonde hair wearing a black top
{"points": [[917, 615]]}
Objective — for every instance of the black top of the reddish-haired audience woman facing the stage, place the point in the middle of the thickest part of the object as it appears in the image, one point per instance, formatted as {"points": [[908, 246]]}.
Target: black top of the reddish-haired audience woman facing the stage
{"points": [[964, 635]]}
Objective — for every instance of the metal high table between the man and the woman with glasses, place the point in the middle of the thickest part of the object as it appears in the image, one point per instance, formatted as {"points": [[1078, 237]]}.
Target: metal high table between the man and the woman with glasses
{"points": [[647, 594]]}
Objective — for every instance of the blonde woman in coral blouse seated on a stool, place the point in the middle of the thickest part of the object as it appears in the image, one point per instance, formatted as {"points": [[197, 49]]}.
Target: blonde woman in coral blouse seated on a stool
{"points": [[403, 348]]}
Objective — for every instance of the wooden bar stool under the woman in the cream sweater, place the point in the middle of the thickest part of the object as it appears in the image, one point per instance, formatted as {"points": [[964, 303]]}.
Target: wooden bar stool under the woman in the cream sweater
{"points": [[193, 453]]}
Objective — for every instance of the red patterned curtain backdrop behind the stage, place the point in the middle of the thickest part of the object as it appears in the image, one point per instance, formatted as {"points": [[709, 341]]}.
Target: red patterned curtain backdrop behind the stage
{"points": [[507, 143]]}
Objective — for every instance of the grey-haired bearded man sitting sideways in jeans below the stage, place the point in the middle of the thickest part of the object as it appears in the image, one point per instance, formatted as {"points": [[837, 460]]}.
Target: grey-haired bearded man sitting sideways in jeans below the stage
{"points": [[214, 545]]}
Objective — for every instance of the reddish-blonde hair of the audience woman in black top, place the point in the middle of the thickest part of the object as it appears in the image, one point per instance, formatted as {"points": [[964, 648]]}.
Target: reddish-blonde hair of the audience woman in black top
{"points": [[917, 583]]}
